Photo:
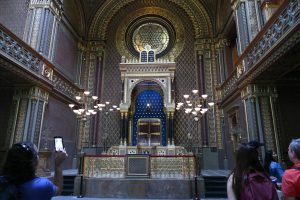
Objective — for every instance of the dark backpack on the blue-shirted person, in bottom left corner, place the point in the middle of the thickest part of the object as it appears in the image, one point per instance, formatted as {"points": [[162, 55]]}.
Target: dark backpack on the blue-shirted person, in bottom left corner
{"points": [[8, 191]]}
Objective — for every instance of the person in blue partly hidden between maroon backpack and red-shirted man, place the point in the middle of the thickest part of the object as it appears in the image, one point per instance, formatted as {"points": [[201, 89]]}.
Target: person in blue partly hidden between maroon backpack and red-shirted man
{"points": [[273, 168]]}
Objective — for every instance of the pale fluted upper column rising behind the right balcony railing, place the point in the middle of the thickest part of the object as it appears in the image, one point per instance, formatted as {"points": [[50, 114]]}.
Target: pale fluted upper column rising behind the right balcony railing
{"points": [[248, 21]]}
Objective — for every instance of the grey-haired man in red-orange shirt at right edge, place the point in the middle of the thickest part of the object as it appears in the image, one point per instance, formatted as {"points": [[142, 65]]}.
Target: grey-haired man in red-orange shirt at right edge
{"points": [[291, 177]]}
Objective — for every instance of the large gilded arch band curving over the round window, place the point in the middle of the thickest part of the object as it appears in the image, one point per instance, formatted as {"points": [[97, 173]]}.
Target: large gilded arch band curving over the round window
{"points": [[195, 10]]}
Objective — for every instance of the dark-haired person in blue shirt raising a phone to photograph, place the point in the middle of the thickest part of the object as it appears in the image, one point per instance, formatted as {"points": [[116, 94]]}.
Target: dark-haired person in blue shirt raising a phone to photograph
{"points": [[19, 172]]}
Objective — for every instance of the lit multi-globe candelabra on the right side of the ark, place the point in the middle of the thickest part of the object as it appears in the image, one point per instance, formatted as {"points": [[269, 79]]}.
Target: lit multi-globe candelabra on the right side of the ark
{"points": [[196, 105]]}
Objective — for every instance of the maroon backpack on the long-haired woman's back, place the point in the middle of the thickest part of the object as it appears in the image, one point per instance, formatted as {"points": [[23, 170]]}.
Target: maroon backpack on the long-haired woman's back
{"points": [[258, 186]]}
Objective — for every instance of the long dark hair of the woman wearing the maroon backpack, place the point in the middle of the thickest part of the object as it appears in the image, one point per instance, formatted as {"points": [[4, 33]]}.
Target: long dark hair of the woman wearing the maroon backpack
{"points": [[246, 162]]}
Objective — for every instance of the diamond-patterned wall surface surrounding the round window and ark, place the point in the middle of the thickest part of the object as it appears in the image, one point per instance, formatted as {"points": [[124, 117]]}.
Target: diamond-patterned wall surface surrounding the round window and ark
{"points": [[185, 75]]}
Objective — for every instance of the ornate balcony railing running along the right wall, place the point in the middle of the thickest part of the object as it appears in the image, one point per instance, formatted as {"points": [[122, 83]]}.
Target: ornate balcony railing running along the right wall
{"points": [[283, 22]]}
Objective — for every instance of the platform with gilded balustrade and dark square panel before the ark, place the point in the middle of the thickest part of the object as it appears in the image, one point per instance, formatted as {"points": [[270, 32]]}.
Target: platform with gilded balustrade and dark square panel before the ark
{"points": [[133, 175]]}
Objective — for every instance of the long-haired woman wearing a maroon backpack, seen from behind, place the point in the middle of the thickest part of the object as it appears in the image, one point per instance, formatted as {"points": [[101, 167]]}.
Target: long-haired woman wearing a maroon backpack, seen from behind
{"points": [[248, 169]]}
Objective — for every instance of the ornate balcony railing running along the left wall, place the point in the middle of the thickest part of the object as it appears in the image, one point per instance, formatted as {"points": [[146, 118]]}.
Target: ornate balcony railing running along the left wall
{"points": [[35, 65]]}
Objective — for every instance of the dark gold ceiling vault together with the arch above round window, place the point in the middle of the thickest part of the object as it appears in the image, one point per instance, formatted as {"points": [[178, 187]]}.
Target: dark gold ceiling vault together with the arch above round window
{"points": [[86, 15]]}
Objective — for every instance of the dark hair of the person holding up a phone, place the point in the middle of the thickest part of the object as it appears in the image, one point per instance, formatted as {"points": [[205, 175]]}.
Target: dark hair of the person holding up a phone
{"points": [[21, 162]]}
